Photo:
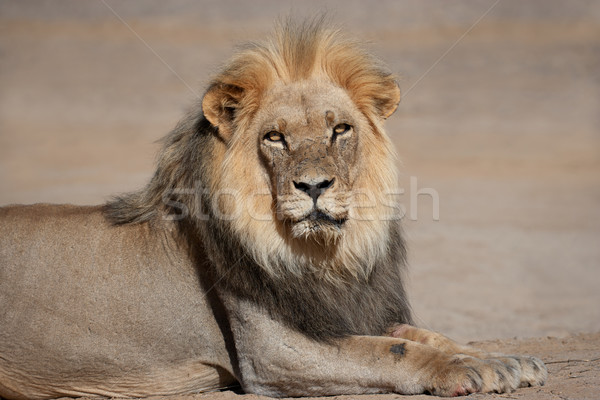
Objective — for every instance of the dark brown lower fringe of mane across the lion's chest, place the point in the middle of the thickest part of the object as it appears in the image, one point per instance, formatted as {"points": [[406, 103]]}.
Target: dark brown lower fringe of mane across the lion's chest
{"points": [[320, 309]]}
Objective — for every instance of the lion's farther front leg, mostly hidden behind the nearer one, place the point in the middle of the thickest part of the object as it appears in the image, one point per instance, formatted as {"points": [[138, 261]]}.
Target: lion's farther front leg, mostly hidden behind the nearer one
{"points": [[531, 370]]}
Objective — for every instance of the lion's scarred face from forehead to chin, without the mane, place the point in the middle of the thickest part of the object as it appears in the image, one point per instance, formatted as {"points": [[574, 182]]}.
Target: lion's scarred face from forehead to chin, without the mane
{"points": [[308, 138]]}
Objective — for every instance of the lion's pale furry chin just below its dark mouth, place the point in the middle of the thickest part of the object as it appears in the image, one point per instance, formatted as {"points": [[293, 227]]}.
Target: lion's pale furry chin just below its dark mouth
{"points": [[319, 227]]}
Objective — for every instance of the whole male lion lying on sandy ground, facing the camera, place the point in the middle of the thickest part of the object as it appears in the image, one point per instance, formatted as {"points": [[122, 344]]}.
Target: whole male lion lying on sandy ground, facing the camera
{"points": [[265, 251]]}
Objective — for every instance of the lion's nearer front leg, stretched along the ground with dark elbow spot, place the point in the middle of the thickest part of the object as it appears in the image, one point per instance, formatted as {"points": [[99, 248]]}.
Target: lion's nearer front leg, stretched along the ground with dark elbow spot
{"points": [[277, 361]]}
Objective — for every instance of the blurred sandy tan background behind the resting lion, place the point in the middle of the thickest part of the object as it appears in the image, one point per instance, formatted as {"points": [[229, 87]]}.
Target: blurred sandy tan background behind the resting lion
{"points": [[500, 120]]}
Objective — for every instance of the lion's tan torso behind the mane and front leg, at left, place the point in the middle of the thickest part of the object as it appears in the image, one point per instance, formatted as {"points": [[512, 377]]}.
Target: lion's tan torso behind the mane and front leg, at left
{"points": [[89, 308]]}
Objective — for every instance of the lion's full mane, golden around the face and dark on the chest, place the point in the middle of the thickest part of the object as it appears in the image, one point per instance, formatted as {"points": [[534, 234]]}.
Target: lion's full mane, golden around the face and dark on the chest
{"points": [[352, 286]]}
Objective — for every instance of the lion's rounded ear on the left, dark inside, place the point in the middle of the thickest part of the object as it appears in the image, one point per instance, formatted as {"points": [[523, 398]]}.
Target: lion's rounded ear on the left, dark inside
{"points": [[219, 106]]}
